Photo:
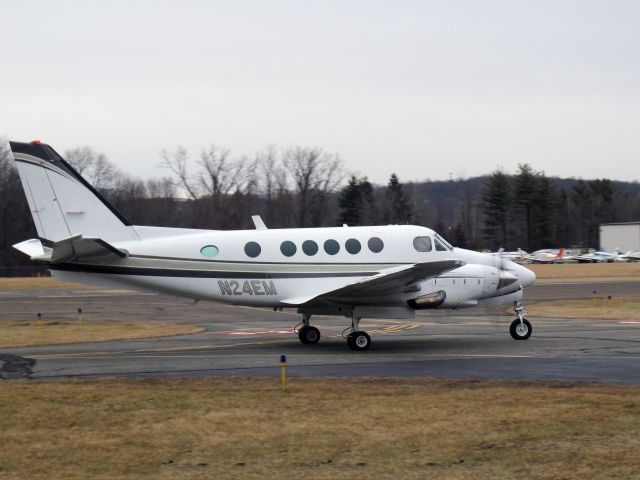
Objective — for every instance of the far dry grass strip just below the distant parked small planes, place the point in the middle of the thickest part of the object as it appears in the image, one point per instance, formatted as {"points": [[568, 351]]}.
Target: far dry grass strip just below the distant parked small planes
{"points": [[587, 272]]}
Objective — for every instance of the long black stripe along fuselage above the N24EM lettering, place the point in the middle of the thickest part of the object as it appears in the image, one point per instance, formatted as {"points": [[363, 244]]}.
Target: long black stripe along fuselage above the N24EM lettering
{"points": [[182, 273]]}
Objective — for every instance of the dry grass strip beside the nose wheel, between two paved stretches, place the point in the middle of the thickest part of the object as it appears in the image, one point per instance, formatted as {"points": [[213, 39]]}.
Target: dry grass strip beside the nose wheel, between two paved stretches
{"points": [[617, 308]]}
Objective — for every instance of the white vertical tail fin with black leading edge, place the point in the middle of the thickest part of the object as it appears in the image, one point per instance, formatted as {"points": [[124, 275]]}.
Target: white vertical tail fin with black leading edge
{"points": [[62, 203]]}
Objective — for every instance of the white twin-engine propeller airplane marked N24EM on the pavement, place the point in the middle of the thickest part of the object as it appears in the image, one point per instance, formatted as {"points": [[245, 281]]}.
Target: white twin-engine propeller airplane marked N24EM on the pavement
{"points": [[355, 272]]}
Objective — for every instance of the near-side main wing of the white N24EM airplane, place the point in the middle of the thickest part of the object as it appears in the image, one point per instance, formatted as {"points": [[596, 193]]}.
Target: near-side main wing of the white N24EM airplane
{"points": [[388, 281]]}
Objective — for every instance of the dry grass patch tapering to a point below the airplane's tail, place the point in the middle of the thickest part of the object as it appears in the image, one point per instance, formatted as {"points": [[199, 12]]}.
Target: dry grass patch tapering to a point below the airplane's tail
{"points": [[20, 334]]}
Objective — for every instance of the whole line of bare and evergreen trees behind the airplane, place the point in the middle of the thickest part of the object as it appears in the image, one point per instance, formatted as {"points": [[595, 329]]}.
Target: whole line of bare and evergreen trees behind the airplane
{"points": [[308, 187]]}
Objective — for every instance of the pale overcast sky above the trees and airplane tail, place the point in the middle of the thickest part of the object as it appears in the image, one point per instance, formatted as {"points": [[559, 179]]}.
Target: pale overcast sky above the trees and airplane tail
{"points": [[422, 88]]}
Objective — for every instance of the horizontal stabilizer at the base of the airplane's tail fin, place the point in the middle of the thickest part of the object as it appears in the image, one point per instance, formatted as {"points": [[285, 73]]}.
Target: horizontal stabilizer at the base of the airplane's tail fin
{"points": [[72, 249]]}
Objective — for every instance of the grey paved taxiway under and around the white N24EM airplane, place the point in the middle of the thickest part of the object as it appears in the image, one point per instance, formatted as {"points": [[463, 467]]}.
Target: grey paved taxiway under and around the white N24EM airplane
{"points": [[241, 341]]}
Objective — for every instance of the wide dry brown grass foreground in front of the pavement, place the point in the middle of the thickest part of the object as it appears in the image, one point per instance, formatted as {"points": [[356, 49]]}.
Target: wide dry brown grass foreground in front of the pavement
{"points": [[328, 428]]}
